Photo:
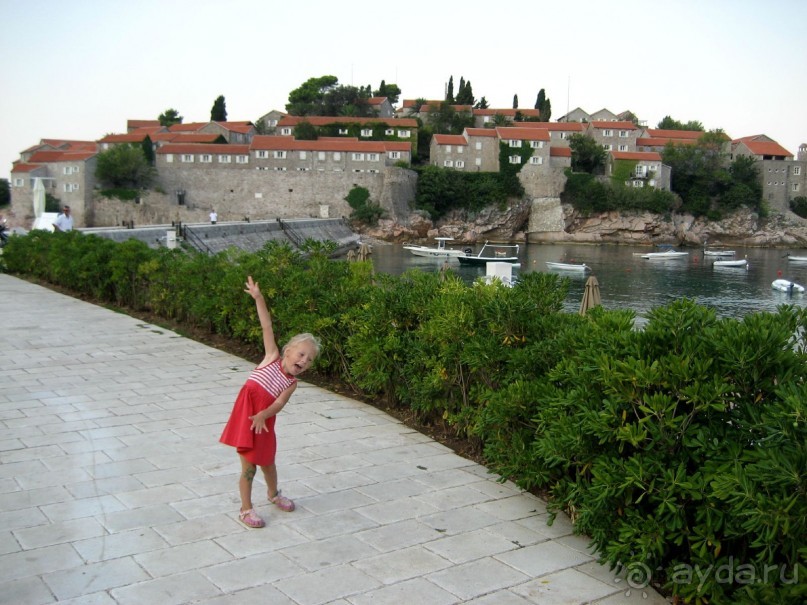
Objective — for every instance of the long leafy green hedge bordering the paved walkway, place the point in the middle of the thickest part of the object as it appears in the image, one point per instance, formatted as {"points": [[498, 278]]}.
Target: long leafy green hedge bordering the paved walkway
{"points": [[680, 449]]}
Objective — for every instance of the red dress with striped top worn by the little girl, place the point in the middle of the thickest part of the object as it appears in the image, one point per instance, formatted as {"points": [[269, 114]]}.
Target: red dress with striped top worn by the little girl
{"points": [[261, 389]]}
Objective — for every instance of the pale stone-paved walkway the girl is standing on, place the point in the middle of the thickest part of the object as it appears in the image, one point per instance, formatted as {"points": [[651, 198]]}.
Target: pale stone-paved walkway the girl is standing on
{"points": [[115, 490]]}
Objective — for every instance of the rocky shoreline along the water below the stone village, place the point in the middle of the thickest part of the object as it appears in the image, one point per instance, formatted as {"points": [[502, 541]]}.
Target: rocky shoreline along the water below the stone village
{"points": [[743, 228]]}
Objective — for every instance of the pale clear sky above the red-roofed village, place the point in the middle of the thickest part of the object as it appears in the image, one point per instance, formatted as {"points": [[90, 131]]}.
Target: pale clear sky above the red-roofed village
{"points": [[80, 70]]}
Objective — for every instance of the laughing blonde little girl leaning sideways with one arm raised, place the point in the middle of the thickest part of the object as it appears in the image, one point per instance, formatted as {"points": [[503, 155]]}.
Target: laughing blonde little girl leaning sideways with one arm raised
{"points": [[251, 427]]}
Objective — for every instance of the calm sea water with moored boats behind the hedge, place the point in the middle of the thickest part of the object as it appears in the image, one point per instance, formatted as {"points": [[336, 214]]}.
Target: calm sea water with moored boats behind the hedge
{"points": [[628, 281]]}
